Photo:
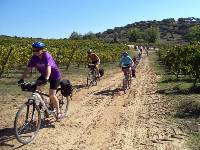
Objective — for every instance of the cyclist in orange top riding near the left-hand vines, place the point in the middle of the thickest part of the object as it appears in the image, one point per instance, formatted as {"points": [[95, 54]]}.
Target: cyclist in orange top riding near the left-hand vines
{"points": [[94, 59]]}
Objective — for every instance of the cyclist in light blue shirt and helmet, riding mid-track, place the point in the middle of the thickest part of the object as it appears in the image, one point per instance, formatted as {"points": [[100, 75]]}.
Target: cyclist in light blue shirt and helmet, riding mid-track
{"points": [[126, 63]]}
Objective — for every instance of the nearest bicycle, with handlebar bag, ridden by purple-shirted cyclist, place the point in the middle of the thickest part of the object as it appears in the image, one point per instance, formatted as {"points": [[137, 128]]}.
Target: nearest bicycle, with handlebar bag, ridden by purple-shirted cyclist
{"points": [[28, 118]]}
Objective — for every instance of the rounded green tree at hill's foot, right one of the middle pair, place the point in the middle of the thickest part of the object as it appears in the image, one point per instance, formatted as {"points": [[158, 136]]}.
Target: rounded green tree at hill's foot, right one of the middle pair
{"points": [[151, 35]]}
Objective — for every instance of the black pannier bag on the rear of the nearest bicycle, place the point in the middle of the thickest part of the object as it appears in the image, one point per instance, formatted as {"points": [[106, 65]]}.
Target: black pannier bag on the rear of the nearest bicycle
{"points": [[66, 88]]}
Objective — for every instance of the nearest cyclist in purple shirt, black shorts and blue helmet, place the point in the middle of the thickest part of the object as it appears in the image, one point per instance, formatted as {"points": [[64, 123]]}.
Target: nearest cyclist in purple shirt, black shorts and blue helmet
{"points": [[45, 64]]}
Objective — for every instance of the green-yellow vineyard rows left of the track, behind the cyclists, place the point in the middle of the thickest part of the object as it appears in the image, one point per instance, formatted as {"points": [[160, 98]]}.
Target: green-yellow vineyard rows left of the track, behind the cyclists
{"points": [[15, 52]]}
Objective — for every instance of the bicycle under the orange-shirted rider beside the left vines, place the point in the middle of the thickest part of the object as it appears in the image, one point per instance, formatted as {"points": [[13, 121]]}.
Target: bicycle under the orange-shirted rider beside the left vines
{"points": [[92, 76]]}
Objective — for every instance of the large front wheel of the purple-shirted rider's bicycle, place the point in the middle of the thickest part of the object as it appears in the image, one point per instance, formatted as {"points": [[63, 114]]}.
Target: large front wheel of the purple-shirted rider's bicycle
{"points": [[27, 122]]}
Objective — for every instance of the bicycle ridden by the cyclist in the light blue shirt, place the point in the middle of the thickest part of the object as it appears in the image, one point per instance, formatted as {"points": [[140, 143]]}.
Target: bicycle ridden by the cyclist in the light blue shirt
{"points": [[127, 80]]}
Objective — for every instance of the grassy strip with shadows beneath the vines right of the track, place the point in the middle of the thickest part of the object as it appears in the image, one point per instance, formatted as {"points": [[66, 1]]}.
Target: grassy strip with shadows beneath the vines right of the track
{"points": [[184, 99]]}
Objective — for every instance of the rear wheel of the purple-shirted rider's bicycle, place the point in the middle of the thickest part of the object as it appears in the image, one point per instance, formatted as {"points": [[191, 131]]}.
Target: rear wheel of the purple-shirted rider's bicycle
{"points": [[63, 101]]}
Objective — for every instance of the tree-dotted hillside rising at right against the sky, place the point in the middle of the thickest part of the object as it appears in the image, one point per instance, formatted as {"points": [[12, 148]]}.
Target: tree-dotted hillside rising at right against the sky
{"points": [[171, 30]]}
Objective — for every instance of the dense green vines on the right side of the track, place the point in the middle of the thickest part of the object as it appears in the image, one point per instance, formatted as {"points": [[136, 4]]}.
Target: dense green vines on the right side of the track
{"points": [[182, 60]]}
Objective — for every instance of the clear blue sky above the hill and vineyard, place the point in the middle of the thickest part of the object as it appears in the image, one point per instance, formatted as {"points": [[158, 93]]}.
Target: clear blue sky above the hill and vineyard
{"points": [[59, 18]]}
